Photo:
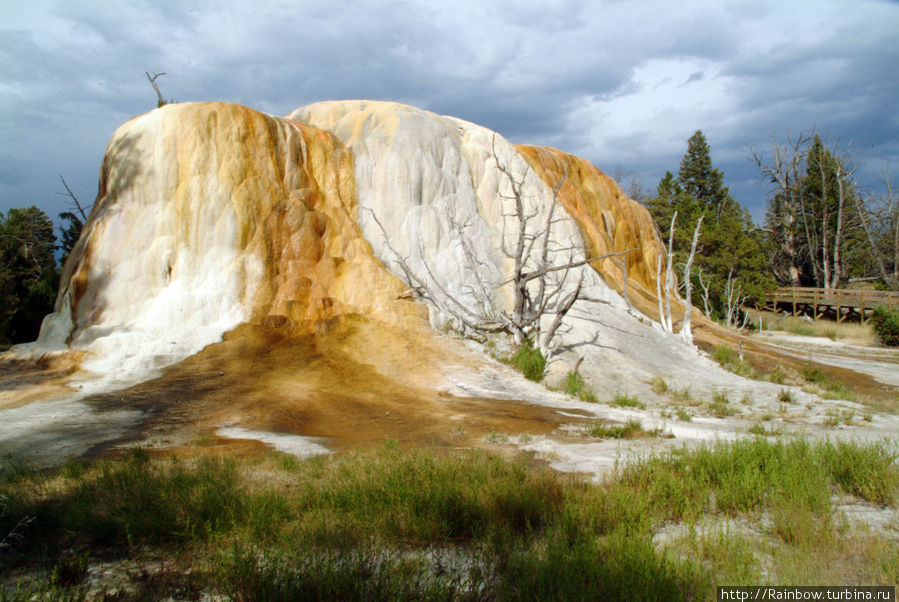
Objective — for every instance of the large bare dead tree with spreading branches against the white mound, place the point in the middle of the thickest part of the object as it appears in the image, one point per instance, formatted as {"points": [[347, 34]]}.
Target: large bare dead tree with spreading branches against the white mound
{"points": [[543, 290]]}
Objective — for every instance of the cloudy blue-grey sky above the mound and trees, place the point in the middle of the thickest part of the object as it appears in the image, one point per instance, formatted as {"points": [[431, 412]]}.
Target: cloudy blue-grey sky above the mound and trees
{"points": [[622, 83]]}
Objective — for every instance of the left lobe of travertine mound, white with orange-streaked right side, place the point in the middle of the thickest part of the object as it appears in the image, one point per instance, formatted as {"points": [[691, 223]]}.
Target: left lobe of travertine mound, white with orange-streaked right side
{"points": [[210, 215]]}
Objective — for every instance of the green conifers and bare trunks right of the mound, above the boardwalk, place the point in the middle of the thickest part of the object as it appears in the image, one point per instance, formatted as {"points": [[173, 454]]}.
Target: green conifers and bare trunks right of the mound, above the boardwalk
{"points": [[820, 230]]}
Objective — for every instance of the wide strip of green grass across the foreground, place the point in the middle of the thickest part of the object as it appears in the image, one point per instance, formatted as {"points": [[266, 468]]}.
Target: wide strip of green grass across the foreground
{"points": [[395, 524]]}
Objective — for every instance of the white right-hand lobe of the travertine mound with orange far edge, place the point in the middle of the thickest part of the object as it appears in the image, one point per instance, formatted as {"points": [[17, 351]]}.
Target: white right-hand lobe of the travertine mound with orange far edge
{"points": [[433, 189]]}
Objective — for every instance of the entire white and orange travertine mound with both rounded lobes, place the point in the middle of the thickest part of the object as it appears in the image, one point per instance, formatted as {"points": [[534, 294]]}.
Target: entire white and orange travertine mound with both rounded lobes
{"points": [[210, 215]]}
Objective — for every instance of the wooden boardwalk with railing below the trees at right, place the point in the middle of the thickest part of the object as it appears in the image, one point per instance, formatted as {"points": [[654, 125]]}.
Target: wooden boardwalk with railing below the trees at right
{"points": [[835, 303]]}
